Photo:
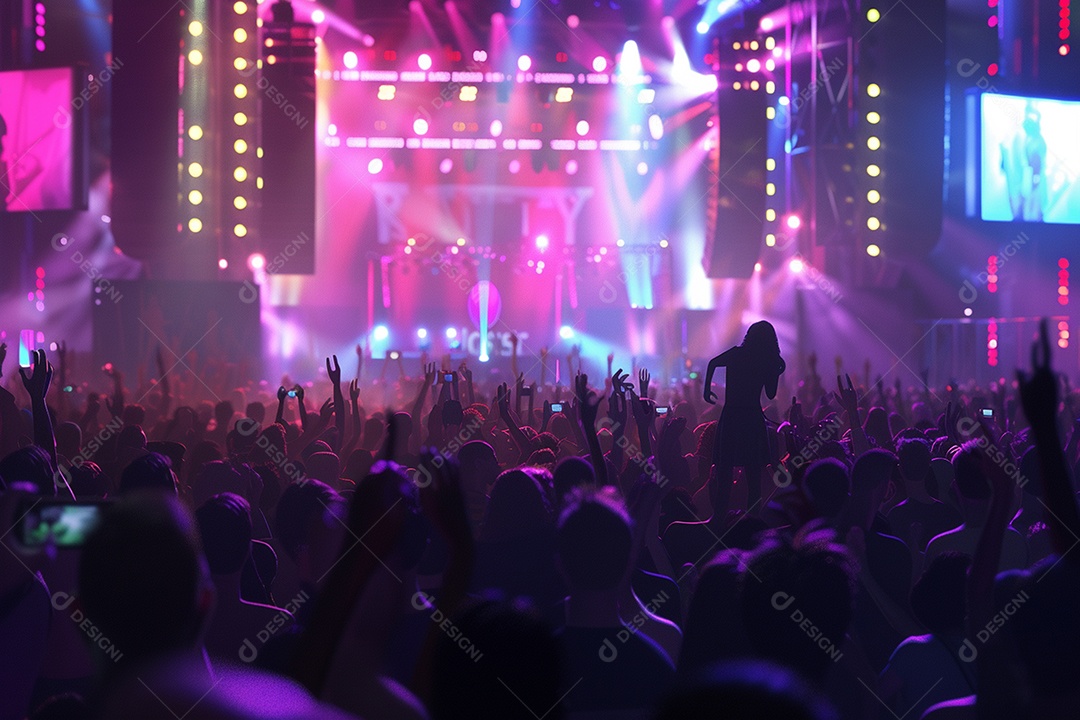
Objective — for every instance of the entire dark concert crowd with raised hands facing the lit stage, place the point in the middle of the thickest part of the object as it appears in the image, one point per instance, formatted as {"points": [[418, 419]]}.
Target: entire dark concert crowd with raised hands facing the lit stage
{"points": [[757, 548]]}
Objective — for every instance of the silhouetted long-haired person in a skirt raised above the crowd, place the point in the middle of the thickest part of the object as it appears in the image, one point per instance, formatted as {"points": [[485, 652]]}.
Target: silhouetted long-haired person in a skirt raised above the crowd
{"points": [[741, 438]]}
